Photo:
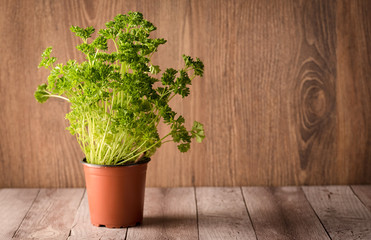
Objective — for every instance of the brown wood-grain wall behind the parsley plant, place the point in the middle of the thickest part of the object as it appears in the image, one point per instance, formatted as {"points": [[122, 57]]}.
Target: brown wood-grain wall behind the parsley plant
{"points": [[285, 100]]}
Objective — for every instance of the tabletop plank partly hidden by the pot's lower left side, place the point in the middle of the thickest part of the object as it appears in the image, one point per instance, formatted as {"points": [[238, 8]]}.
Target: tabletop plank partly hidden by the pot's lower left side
{"points": [[84, 230]]}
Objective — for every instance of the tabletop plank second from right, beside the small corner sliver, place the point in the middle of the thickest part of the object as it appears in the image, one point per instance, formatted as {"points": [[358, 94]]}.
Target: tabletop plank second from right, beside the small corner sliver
{"points": [[341, 212]]}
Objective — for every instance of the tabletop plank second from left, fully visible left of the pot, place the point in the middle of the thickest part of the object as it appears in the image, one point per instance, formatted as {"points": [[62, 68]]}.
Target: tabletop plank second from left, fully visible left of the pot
{"points": [[51, 214]]}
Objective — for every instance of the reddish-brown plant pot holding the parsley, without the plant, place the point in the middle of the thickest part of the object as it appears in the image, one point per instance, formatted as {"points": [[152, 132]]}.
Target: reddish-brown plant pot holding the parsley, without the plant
{"points": [[115, 194]]}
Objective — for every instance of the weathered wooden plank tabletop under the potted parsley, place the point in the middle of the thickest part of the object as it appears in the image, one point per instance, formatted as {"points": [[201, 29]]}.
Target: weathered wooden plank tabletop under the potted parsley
{"points": [[321, 212]]}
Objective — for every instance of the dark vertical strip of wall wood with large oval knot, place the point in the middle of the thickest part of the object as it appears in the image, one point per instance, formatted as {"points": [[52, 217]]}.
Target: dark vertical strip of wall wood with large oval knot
{"points": [[314, 90]]}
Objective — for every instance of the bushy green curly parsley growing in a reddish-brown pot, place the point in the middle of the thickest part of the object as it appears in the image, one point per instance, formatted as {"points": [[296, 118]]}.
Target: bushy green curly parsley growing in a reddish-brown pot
{"points": [[117, 100]]}
